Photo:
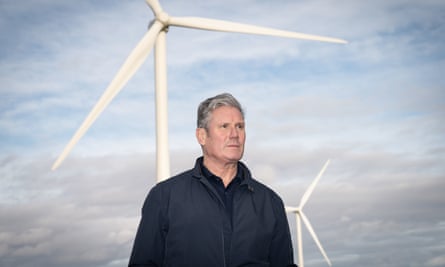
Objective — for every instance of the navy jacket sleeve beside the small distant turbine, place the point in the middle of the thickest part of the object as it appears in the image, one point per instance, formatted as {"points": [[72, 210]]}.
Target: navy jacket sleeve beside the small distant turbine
{"points": [[281, 251]]}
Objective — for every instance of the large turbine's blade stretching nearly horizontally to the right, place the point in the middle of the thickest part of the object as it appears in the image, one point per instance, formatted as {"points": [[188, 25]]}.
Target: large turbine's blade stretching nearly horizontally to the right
{"points": [[226, 26]]}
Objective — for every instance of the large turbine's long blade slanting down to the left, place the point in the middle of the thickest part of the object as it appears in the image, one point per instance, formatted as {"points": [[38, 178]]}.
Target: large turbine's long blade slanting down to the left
{"points": [[128, 69]]}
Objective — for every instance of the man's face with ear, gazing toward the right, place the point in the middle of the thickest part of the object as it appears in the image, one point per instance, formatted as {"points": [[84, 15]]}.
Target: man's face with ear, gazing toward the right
{"points": [[223, 141]]}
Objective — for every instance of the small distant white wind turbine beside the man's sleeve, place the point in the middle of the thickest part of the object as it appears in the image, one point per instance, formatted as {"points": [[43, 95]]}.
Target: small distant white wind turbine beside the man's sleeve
{"points": [[299, 215]]}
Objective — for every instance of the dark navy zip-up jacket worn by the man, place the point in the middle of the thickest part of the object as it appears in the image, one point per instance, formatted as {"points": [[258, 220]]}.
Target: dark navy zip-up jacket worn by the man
{"points": [[184, 219]]}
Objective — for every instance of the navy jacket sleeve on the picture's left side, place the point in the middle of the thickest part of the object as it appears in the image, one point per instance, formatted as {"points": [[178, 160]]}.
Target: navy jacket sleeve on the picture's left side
{"points": [[148, 247]]}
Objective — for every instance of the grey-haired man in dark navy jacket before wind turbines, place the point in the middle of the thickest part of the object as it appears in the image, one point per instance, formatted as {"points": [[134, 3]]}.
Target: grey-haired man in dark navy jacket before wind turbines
{"points": [[216, 214]]}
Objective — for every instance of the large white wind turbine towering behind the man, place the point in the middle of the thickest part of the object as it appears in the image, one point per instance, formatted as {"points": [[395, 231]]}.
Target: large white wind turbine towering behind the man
{"points": [[155, 37]]}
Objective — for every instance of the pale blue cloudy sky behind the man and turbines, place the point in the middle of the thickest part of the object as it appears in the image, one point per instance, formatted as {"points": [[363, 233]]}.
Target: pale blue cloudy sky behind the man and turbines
{"points": [[375, 107]]}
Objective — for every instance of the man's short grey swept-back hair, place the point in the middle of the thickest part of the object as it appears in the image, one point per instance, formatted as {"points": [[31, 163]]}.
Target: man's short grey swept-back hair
{"points": [[207, 106]]}
